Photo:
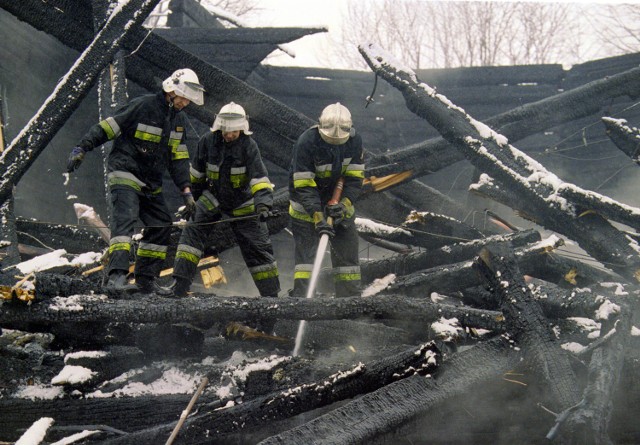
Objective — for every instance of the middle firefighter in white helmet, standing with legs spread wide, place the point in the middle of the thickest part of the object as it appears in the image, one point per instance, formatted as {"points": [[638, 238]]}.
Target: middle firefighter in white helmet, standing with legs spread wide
{"points": [[230, 181]]}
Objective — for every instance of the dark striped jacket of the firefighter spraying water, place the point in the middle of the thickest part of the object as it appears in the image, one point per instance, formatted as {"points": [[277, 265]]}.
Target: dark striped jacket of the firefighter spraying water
{"points": [[316, 167]]}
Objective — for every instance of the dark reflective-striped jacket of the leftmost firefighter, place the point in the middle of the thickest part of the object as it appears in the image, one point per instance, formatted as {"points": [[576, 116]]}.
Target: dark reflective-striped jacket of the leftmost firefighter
{"points": [[148, 136]]}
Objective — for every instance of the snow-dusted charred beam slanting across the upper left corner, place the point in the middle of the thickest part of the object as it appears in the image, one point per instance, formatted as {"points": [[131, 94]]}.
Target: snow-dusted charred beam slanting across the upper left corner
{"points": [[33, 139]]}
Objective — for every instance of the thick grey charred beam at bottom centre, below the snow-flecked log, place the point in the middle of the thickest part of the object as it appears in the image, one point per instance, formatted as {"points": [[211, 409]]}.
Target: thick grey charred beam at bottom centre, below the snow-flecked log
{"points": [[396, 404]]}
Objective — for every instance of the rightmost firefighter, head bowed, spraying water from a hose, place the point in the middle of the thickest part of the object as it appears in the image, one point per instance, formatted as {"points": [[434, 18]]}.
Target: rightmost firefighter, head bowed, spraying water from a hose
{"points": [[321, 155]]}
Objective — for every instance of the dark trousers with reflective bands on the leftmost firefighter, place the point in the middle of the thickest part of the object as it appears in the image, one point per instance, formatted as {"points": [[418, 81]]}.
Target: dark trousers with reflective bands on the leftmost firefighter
{"points": [[127, 205]]}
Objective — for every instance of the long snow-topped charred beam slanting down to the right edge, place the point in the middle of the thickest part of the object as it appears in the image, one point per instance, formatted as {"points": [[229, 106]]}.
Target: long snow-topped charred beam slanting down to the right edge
{"points": [[490, 152]]}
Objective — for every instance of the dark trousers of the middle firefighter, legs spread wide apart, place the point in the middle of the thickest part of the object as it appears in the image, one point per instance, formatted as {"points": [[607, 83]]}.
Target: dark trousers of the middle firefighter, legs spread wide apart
{"points": [[253, 240]]}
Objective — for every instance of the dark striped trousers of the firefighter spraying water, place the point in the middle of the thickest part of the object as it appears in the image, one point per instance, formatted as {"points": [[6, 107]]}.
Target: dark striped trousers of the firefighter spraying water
{"points": [[344, 257]]}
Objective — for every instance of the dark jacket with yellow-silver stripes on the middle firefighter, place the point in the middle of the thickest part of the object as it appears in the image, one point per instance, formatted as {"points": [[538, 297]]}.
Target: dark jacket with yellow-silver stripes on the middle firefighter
{"points": [[233, 173]]}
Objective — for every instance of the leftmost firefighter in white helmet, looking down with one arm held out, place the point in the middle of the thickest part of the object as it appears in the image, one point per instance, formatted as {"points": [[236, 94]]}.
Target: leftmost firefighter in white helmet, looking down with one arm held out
{"points": [[148, 137]]}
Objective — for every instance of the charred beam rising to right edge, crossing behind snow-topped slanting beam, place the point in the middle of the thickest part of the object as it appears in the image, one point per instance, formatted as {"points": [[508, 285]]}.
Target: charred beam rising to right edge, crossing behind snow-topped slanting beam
{"points": [[516, 124]]}
